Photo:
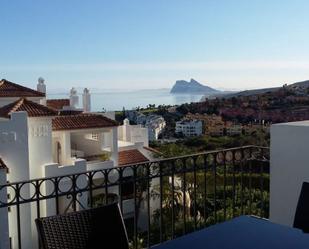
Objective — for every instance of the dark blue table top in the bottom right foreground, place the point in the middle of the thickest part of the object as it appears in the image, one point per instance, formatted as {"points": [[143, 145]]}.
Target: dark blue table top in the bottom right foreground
{"points": [[244, 232]]}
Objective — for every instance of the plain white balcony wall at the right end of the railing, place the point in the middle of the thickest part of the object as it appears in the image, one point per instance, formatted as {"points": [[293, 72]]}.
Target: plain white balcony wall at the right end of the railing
{"points": [[289, 168]]}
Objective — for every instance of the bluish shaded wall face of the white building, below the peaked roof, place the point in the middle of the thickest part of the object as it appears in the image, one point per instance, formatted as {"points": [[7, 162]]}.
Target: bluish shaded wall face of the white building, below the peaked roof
{"points": [[14, 151]]}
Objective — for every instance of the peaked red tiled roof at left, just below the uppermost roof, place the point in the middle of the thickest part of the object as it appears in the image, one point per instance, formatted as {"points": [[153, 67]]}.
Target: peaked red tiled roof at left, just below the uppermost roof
{"points": [[33, 109]]}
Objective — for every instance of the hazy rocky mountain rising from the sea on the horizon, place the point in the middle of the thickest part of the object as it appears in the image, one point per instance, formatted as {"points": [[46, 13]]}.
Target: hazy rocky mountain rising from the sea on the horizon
{"points": [[182, 86]]}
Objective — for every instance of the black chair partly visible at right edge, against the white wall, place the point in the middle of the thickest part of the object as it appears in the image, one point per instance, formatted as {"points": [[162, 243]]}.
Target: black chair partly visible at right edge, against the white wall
{"points": [[301, 219]]}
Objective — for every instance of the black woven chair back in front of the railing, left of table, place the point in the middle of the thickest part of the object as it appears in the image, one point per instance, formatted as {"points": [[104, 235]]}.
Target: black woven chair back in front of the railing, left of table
{"points": [[96, 228]]}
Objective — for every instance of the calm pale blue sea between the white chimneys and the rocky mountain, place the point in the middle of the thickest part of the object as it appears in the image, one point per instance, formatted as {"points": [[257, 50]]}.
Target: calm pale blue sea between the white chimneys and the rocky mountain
{"points": [[116, 100]]}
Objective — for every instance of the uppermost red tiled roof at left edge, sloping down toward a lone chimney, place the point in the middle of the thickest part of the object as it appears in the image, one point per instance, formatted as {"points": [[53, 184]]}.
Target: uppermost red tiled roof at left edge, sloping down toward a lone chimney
{"points": [[10, 89]]}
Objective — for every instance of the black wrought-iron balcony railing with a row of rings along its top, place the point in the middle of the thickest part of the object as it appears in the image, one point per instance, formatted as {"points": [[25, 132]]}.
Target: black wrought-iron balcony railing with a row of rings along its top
{"points": [[160, 200]]}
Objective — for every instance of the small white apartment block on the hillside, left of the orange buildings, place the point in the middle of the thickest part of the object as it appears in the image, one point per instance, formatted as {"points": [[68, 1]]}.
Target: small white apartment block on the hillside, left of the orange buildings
{"points": [[189, 128]]}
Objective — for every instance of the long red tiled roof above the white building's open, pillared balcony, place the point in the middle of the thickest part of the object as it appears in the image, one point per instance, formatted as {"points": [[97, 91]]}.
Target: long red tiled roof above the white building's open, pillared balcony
{"points": [[82, 121]]}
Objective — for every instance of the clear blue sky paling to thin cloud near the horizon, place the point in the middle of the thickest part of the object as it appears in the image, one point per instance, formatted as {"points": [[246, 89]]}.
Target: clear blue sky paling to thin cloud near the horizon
{"points": [[139, 44]]}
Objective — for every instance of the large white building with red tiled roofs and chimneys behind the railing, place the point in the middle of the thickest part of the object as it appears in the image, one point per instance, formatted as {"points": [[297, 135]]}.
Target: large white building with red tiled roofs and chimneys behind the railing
{"points": [[40, 138]]}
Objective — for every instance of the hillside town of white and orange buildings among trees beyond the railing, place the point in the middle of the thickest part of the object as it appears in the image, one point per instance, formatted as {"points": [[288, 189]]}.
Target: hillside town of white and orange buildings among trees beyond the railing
{"points": [[218, 122]]}
